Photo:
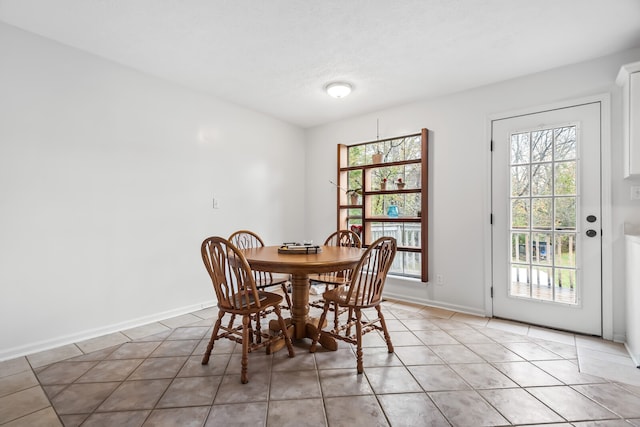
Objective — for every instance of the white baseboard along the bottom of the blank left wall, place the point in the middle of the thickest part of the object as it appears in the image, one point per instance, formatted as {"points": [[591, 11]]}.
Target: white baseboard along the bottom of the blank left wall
{"points": [[36, 347]]}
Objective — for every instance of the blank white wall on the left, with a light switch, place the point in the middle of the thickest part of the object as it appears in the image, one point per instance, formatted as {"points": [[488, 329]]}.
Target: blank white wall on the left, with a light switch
{"points": [[106, 184]]}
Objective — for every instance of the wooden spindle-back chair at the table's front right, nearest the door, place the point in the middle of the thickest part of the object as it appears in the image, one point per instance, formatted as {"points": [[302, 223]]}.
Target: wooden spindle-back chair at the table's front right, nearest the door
{"points": [[364, 291]]}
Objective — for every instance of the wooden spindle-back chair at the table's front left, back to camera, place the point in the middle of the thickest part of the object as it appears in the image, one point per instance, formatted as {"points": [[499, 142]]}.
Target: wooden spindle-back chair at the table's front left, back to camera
{"points": [[238, 295]]}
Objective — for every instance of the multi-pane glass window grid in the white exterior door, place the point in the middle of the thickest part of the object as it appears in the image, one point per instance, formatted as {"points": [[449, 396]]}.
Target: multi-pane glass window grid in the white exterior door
{"points": [[543, 215]]}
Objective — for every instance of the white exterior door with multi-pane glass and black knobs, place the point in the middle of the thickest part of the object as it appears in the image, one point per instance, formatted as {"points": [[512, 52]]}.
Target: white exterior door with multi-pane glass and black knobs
{"points": [[546, 210]]}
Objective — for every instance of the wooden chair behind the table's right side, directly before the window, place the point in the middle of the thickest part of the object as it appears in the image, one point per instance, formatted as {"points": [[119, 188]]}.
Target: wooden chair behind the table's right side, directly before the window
{"points": [[334, 279]]}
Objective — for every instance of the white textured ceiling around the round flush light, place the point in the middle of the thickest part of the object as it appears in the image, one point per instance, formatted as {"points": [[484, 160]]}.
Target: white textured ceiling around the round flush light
{"points": [[276, 56]]}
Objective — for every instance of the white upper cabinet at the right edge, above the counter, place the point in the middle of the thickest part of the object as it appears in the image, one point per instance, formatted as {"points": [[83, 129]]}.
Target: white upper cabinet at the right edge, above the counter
{"points": [[629, 79]]}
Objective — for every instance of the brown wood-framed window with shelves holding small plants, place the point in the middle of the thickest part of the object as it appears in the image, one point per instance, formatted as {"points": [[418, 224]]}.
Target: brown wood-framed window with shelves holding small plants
{"points": [[390, 178]]}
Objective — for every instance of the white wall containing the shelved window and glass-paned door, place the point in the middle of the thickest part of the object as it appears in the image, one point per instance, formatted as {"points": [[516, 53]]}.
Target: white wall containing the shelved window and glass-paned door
{"points": [[459, 176]]}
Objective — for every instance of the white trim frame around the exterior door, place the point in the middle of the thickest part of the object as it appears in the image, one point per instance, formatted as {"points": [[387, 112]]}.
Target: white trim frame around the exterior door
{"points": [[606, 209]]}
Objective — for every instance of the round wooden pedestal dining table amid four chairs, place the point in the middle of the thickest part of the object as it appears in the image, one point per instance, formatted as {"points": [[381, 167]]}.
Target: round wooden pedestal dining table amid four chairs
{"points": [[300, 266]]}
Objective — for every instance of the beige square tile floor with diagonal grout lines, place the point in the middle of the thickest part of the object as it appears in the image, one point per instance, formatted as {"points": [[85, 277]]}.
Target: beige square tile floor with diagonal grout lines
{"points": [[448, 369]]}
